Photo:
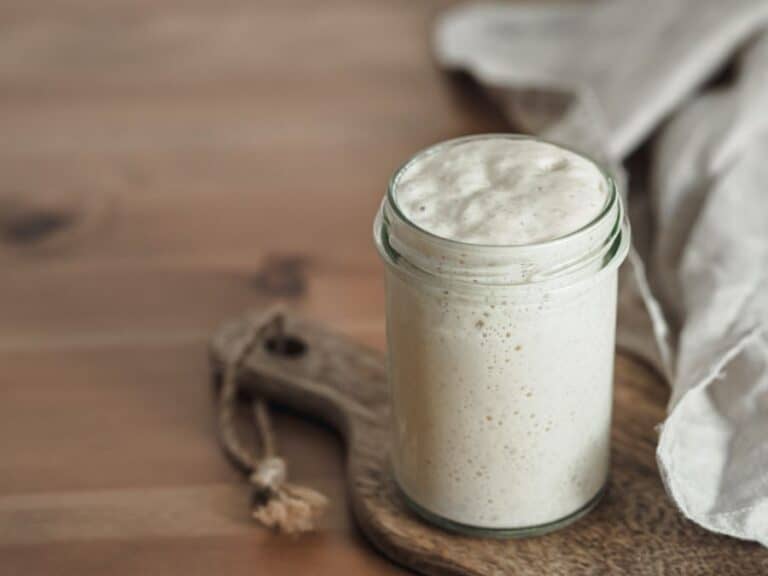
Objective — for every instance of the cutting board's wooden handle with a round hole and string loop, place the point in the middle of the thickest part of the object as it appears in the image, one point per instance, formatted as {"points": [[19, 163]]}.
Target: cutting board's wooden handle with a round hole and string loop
{"points": [[298, 363]]}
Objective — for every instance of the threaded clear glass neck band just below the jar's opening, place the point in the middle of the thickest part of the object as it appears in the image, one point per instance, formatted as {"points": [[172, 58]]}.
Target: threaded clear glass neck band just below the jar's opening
{"points": [[602, 243]]}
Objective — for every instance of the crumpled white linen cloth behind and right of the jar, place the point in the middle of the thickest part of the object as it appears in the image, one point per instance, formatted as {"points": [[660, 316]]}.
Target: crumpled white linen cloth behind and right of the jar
{"points": [[603, 76]]}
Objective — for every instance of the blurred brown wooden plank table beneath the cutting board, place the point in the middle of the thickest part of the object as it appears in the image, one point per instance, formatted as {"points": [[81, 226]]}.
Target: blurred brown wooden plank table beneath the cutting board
{"points": [[166, 165]]}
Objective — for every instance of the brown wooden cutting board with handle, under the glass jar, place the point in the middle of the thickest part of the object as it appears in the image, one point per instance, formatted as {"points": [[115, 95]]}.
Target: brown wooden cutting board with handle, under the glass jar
{"points": [[635, 530]]}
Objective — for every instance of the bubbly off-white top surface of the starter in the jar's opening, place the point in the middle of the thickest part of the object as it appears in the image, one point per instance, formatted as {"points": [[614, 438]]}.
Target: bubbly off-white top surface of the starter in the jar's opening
{"points": [[501, 191]]}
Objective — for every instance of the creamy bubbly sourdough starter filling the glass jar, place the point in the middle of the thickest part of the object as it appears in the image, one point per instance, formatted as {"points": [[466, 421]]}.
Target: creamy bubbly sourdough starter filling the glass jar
{"points": [[500, 323]]}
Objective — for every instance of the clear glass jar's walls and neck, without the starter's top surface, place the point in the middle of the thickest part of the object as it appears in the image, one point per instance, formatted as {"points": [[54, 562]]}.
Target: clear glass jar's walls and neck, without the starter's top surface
{"points": [[501, 369]]}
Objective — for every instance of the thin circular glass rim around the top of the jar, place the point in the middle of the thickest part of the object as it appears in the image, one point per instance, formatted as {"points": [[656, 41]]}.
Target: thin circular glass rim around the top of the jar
{"points": [[421, 154]]}
